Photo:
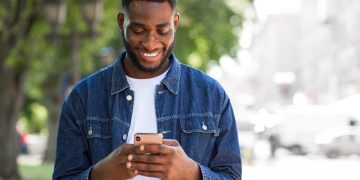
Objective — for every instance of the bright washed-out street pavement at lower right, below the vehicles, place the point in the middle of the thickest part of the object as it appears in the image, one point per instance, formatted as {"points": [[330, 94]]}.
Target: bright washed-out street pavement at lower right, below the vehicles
{"points": [[287, 167]]}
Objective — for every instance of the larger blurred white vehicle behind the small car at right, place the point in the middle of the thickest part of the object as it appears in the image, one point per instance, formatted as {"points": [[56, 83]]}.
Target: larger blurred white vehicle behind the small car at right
{"points": [[300, 125]]}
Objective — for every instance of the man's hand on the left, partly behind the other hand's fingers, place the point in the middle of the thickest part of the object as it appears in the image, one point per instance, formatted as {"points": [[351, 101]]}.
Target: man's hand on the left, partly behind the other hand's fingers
{"points": [[114, 165]]}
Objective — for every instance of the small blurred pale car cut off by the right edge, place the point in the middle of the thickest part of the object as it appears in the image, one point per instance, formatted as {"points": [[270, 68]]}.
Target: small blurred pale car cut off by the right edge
{"points": [[334, 145]]}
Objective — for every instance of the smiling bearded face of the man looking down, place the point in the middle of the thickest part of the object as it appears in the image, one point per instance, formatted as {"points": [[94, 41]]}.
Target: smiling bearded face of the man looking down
{"points": [[148, 33]]}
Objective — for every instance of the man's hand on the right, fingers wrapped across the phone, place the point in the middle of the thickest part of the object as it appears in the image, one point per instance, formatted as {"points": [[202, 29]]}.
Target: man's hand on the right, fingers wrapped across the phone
{"points": [[171, 162]]}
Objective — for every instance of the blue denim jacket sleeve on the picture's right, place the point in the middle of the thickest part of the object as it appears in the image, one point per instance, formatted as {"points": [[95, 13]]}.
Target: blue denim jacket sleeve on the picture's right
{"points": [[226, 160]]}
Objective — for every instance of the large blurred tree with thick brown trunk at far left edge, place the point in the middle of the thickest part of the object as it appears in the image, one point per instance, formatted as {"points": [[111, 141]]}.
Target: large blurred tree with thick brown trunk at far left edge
{"points": [[17, 20]]}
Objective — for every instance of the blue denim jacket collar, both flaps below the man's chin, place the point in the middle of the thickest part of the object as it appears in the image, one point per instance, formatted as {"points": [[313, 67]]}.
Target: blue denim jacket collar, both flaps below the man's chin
{"points": [[171, 80]]}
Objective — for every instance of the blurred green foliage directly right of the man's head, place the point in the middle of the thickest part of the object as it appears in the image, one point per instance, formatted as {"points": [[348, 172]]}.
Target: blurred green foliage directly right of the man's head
{"points": [[205, 31]]}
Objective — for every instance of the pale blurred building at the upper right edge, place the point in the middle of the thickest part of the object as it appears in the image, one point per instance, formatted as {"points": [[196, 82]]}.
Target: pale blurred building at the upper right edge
{"points": [[329, 49]]}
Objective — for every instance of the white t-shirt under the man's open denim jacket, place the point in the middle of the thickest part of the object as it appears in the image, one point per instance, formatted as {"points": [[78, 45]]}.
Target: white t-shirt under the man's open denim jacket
{"points": [[143, 119]]}
